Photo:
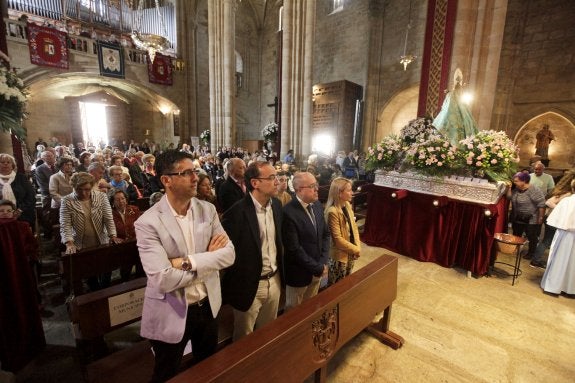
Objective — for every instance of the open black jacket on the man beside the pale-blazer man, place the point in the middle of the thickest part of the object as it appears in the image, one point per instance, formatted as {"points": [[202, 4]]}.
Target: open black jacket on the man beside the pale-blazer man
{"points": [[240, 281]]}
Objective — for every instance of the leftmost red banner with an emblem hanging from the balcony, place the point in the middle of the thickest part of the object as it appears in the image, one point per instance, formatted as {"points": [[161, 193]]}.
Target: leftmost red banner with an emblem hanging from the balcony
{"points": [[47, 46]]}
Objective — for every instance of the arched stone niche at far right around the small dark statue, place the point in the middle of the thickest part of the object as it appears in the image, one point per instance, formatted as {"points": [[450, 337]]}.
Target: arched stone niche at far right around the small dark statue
{"points": [[561, 150]]}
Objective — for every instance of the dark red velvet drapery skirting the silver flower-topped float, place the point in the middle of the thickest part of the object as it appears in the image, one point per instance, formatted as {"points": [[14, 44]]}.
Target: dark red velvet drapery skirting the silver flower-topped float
{"points": [[454, 233]]}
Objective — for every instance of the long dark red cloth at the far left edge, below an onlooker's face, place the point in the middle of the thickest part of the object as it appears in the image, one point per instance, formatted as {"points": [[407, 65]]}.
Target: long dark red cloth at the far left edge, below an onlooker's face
{"points": [[21, 332]]}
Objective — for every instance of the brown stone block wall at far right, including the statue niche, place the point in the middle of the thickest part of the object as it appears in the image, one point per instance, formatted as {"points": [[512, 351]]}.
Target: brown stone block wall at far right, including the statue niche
{"points": [[536, 75]]}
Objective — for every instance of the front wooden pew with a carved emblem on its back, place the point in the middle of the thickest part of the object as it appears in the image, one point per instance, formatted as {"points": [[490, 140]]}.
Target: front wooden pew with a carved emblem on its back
{"points": [[302, 341]]}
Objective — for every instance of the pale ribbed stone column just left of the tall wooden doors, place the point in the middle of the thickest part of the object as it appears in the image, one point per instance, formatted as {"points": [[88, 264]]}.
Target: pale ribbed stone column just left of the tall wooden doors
{"points": [[297, 54]]}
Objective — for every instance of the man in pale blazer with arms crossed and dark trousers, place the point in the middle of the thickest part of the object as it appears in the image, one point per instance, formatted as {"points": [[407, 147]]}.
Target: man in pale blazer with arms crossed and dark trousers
{"points": [[183, 247]]}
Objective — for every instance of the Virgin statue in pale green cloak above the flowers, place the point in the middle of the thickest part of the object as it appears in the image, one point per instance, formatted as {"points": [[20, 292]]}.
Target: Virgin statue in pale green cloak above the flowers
{"points": [[454, 120]]}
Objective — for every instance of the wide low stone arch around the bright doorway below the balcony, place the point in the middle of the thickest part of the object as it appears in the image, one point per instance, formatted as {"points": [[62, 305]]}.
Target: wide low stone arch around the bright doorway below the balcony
{"points": [[52, 114]]}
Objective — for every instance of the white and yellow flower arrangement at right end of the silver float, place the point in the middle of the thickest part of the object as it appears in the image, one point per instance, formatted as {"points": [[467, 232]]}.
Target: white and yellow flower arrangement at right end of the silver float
{"points": [[490, 152]]}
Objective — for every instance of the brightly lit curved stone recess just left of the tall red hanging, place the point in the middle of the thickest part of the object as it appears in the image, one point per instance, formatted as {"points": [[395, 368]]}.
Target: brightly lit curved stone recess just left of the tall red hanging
{"points": [[397, 112]]}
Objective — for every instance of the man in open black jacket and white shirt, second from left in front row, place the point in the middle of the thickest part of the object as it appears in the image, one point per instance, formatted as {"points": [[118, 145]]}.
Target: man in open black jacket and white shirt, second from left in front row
{"points": [[252, 284]]}
